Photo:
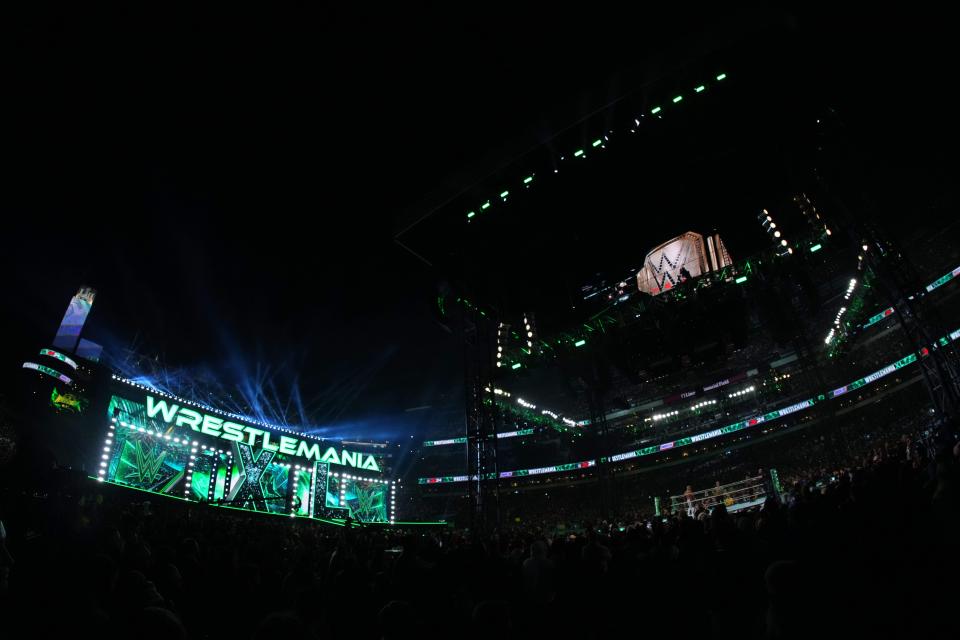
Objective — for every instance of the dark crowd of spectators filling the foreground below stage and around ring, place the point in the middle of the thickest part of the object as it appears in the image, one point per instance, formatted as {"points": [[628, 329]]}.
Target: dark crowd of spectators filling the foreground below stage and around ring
{"points": [[861, 544]]}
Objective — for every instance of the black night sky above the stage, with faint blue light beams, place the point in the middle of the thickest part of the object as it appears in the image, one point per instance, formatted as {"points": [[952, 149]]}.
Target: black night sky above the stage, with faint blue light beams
{"points": [[231, 181]]}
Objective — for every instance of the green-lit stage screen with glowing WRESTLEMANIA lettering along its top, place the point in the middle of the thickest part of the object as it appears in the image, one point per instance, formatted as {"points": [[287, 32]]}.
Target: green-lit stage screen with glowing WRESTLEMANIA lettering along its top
{"points": [[146, 448]]}
